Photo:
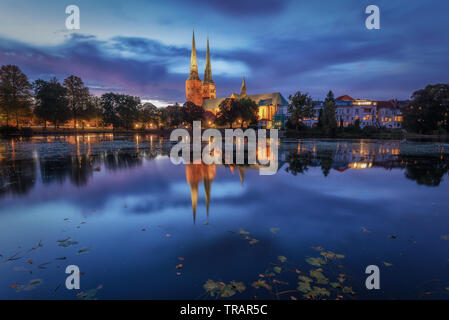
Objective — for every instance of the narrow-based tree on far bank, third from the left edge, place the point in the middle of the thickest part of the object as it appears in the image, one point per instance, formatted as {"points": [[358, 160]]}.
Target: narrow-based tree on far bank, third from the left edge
{"points": [[77, 96]]}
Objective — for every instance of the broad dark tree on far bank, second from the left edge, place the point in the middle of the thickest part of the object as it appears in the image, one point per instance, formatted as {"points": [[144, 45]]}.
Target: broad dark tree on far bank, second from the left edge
{"points": [[51, 102]]}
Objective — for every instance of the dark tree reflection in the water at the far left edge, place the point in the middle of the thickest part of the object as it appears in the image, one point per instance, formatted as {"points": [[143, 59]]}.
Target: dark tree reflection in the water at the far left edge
{"points": [[17, 176]]}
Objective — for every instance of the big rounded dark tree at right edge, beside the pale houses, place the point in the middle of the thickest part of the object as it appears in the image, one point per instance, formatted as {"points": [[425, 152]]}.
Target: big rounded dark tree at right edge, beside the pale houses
{"points": [[429, 109]]}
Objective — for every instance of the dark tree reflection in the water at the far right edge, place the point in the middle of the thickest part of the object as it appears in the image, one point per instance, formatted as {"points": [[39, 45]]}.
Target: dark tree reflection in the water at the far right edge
{"points": [[427, 171]]}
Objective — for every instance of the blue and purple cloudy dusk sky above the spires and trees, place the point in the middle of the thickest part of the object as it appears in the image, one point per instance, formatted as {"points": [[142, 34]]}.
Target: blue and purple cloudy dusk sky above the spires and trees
{"points": [[142, 47]]}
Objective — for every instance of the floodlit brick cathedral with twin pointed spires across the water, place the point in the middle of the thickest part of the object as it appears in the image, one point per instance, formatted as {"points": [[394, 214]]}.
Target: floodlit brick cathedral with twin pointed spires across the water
{"points": [[204, 93]]}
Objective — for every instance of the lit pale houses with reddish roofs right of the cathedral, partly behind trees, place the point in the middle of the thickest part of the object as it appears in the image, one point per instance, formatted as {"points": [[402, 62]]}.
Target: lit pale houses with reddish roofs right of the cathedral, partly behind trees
{"points": [[348, 110]]}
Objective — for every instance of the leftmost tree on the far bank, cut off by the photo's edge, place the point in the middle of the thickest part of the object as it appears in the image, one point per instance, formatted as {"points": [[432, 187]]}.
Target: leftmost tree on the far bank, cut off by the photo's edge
{"points": [[15, 93]]}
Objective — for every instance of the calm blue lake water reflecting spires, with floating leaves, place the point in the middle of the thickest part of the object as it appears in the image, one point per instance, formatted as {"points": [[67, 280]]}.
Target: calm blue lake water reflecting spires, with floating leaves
{"points": [[140, 227]]}
